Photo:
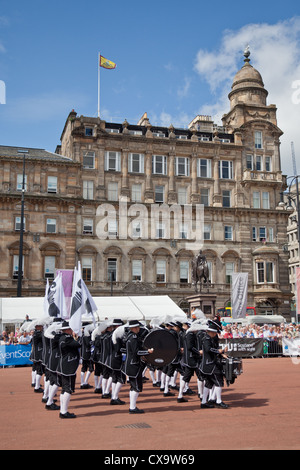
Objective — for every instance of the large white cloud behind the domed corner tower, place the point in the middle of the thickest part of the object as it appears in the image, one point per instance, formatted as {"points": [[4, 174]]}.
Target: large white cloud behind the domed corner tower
{"points": [[274, 53]]}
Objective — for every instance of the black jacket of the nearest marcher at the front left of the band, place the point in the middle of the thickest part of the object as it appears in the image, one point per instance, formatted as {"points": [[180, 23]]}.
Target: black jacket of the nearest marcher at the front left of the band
{"points": [[69, 351]]}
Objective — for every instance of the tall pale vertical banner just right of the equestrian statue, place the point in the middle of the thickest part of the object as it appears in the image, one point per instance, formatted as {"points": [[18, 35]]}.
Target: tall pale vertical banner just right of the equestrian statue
{"points": [[239, 290]]}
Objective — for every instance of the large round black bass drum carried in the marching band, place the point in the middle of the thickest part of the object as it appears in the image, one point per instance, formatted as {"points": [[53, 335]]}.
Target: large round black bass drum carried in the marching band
{"points": [[165, 348]]}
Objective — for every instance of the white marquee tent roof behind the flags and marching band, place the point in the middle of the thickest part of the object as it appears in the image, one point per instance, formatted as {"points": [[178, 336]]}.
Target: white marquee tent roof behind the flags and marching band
{"points": [[14, 310]]}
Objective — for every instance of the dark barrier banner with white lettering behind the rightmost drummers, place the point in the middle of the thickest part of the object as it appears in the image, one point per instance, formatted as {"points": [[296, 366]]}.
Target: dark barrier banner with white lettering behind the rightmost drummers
{"points": [[243, 347]]}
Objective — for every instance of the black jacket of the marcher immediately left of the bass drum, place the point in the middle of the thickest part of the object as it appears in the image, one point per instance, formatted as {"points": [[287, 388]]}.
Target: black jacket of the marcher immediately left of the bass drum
{"points": [[134, 352]]}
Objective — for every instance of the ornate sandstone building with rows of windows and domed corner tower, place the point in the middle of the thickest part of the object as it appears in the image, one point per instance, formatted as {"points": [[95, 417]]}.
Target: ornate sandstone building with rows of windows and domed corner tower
{"points": [[94, 201]]}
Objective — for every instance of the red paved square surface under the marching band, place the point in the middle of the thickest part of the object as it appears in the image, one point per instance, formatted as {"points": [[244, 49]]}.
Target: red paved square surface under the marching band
{"points": [[264, 414]]}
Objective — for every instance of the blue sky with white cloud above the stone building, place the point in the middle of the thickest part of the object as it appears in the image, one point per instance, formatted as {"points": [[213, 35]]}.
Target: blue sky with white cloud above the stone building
{"points": [[174, 60]]}
